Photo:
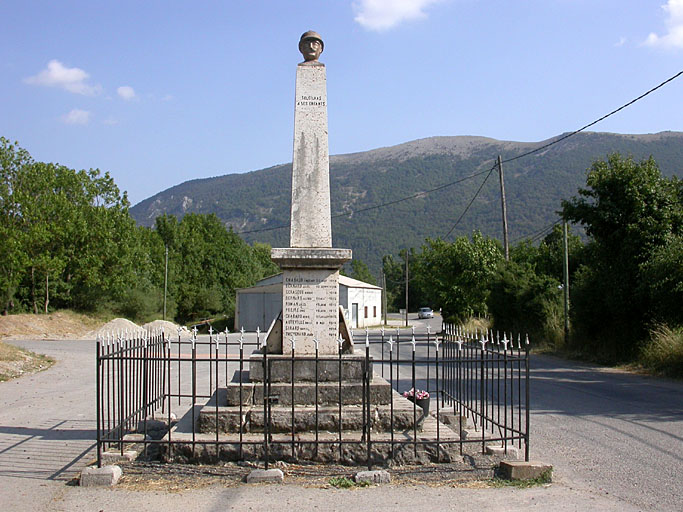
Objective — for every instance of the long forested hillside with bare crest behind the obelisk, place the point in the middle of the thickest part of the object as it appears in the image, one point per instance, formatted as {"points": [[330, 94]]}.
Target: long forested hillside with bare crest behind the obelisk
{"points": [[254, 203]]}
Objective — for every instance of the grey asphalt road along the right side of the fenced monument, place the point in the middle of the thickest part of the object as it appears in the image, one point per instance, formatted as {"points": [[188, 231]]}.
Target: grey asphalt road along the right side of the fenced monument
{"points": [[606, 432]]}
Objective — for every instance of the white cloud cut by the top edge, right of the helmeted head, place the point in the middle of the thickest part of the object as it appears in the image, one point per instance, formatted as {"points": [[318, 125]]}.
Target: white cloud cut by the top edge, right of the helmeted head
{"points": [[384, 14]]}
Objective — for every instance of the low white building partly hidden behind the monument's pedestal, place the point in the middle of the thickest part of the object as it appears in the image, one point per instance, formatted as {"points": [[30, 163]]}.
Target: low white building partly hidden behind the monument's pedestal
{"points": [[259, 305]]}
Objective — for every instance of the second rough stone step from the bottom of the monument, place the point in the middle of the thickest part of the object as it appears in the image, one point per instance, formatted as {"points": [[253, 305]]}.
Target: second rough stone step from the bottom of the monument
{"points": [[251, 419]]}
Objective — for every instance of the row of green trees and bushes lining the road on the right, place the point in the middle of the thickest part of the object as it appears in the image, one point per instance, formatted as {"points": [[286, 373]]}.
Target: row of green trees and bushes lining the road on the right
{"points": [[626, 278]]}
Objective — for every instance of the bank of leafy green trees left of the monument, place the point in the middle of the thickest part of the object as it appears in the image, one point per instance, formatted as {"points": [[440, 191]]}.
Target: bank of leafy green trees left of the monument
{"points": [[69, 242]]}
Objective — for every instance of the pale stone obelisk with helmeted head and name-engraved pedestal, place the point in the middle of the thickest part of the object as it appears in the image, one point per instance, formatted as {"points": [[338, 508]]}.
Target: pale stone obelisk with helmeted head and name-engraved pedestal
{"points": [[310, 266]]}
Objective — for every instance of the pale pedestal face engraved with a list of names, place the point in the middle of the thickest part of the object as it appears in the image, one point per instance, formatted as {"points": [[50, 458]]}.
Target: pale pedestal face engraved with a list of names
{"points": [[310, 302]]}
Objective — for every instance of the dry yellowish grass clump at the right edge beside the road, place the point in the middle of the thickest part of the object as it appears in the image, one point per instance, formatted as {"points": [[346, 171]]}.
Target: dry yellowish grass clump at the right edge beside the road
{"points": [[663, 353]]}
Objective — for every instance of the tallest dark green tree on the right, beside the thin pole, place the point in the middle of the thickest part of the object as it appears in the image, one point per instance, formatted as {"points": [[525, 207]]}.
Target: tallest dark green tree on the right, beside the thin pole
{"points": [[629, 211]]}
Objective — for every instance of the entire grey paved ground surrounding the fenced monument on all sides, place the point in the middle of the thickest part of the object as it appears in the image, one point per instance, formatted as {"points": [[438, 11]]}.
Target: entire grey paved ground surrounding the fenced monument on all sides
{"points": [[614, 440]]}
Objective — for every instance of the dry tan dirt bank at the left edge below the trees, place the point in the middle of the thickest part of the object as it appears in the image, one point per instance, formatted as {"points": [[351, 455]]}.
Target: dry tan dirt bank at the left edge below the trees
{"points": [[62, 325]]}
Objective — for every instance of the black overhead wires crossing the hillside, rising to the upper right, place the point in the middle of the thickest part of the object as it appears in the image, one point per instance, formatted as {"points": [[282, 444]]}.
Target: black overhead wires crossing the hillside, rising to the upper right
{"points": [[512, 159]]}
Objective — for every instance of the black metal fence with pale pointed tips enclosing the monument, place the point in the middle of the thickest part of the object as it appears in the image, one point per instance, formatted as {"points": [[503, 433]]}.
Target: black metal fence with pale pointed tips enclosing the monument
{"points": [[478, 387]]}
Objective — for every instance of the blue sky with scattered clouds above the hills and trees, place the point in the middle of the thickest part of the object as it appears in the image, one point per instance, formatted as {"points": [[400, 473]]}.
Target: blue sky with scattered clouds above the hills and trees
{"points": [[160, 92]]}
